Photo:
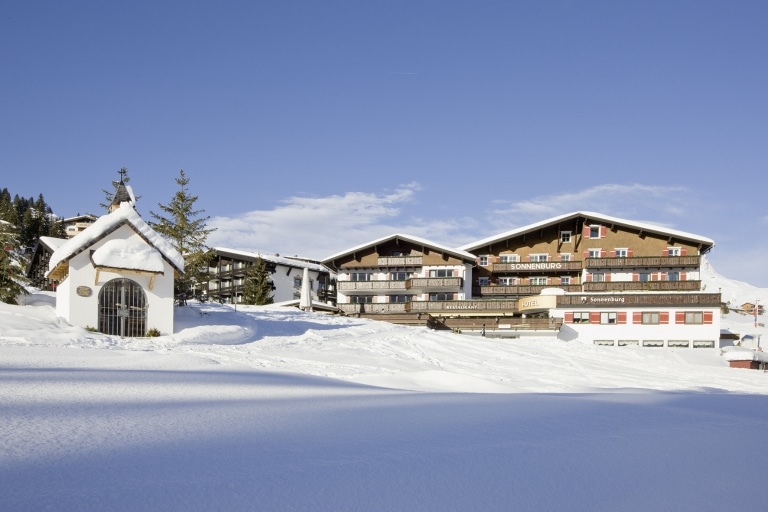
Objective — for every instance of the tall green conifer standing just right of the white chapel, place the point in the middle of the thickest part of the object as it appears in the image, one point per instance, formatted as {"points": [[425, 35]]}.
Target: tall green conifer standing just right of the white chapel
{"points": [[187, 233]]}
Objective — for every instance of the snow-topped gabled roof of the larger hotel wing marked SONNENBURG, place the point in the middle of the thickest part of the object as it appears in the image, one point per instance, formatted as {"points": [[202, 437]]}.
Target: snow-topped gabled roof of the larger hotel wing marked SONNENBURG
{"points": [[706, 243]]}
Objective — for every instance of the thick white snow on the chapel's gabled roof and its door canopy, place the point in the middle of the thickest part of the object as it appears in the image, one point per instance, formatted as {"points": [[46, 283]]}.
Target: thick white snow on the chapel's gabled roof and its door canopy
{"points": [[118, 255]]}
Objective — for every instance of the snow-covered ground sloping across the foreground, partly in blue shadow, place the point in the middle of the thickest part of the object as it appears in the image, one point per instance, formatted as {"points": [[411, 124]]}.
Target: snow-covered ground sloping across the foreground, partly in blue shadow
{"points": [[276, 409]]}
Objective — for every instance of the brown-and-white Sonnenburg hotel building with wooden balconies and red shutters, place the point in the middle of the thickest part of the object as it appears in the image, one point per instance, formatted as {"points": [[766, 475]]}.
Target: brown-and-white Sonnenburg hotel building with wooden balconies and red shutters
{"points": [[584, 276]]}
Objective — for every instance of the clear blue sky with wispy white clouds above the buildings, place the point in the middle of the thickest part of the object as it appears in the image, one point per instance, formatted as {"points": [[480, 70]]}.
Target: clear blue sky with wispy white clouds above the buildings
{"points": [[311, 127]]}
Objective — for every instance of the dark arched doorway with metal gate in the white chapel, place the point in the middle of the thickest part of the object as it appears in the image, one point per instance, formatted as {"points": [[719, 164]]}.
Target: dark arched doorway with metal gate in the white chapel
{"points": [[123, 308]]}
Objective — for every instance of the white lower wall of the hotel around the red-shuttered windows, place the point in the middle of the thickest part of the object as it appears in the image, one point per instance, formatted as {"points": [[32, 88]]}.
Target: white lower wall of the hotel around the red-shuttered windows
{"points": [[589, 333]]}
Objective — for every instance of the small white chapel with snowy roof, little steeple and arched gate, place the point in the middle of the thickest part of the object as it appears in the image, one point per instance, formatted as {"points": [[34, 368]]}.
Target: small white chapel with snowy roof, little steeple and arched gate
{"points": [[117, 276]]}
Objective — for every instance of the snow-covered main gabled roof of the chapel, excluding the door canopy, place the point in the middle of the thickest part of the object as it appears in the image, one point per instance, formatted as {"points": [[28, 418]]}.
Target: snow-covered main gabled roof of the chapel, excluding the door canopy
{"points": [[124, 215]]}
